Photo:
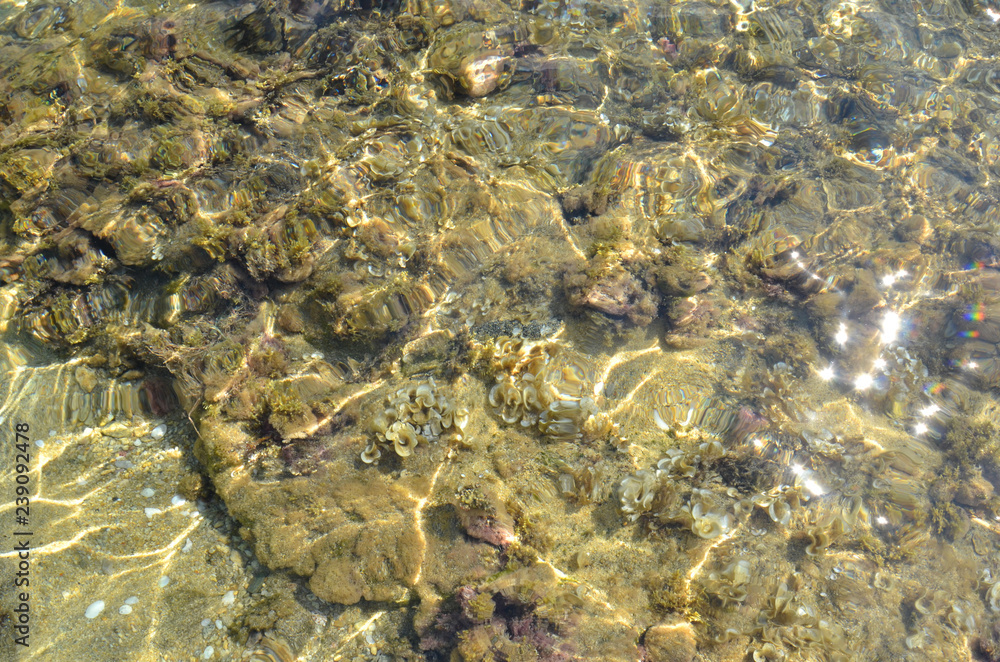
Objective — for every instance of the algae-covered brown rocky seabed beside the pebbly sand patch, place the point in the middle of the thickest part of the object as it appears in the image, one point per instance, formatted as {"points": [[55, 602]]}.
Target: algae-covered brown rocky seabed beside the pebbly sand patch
{"points": [[556, 330]]}
